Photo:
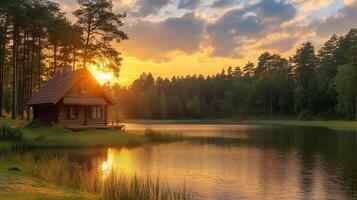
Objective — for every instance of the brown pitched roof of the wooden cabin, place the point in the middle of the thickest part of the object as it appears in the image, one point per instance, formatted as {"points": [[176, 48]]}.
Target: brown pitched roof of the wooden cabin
{"points": [[55, 89]]}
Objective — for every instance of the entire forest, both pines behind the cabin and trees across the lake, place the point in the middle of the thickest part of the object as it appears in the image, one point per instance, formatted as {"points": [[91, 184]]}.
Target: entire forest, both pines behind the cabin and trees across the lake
{"points": [[37, 41]]}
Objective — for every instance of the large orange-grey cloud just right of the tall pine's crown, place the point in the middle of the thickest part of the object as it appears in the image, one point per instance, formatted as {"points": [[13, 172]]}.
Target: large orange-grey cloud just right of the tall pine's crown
{"points": [[156, 40]]}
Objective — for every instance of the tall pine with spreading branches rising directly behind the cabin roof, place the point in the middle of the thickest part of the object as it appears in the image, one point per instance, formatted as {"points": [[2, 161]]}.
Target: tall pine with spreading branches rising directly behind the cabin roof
{"points": [[101, 26]]}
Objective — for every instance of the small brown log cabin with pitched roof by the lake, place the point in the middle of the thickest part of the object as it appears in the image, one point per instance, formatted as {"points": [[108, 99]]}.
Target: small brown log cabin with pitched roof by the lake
{"points": [[74, 99]]}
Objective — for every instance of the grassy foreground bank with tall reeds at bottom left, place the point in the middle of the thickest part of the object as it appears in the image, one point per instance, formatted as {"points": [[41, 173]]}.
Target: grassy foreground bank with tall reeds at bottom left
{"points": [[52, 177]]}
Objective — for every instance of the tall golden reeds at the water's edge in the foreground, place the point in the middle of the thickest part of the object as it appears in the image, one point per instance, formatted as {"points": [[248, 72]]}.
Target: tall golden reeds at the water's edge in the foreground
{"points": [[107, 184]]}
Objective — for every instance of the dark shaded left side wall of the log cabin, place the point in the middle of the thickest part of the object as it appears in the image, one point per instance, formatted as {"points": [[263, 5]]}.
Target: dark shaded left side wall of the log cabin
{"points": [[46, 114]]}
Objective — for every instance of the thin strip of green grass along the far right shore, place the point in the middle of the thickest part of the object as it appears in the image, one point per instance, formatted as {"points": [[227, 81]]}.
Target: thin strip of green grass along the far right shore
{"points": [[336, 125]]}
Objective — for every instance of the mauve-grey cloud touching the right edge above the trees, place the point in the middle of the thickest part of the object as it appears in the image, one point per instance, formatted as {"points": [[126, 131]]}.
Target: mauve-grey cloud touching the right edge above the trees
{"points": [[338, 23]]}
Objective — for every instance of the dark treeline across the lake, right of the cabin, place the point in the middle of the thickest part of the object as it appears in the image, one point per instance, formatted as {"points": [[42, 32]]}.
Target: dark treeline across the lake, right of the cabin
{"points": [[308, 85]]}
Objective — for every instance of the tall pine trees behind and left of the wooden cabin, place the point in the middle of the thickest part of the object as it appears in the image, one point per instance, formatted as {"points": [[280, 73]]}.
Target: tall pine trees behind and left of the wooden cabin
{"points": [[37, 41]]}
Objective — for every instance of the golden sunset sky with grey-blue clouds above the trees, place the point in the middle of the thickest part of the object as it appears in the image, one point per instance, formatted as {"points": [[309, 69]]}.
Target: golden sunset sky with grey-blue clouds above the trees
{"points": [[181, 37]]}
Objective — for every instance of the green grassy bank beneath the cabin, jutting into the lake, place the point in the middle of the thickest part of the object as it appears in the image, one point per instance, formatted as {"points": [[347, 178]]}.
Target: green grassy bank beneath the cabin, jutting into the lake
{"points": [[35, 135]]}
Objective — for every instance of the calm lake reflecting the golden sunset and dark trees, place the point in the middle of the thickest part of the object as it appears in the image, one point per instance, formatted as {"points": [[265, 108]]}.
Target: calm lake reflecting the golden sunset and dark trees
{"points": [[230, 161]]}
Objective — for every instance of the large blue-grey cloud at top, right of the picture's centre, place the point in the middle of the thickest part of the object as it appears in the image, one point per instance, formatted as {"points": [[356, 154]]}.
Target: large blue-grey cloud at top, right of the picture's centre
{"points": [[237, 26]]}
